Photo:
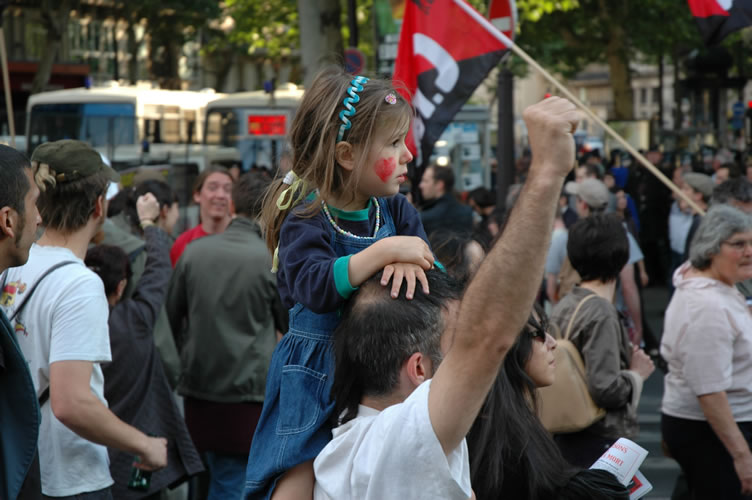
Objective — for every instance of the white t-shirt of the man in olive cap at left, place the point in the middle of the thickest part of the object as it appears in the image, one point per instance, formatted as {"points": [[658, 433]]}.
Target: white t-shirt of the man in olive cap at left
{"points": [[65, 320]]}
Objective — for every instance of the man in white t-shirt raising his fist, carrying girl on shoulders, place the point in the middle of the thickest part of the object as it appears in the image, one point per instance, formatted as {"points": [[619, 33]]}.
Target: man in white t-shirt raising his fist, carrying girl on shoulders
{"points": [[407, 440]]}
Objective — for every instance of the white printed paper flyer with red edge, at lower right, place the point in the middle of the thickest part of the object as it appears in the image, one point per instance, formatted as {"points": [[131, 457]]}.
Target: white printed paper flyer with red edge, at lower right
{"points": [[623, 460]]}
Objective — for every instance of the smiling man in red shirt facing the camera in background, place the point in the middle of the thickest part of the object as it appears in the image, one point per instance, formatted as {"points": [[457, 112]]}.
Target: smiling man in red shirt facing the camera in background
{"points": [[212, 192]]}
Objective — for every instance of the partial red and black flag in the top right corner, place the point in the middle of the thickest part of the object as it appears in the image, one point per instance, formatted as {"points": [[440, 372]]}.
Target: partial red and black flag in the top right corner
{"points": [[719, 18]]}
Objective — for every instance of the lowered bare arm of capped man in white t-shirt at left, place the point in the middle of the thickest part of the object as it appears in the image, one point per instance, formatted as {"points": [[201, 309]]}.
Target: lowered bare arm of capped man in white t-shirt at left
{"points": [[81, 411]]}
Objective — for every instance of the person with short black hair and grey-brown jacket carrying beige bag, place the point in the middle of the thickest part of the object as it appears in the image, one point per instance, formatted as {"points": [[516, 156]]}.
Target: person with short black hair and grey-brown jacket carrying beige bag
{"points": [[598, 250]]}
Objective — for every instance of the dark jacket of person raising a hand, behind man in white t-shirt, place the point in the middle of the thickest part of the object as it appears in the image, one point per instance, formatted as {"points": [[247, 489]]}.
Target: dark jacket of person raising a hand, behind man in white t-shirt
{"points": [[135, 384]]}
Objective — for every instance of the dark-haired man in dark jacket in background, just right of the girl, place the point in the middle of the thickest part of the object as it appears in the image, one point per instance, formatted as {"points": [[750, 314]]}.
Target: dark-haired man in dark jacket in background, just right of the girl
{"points": [[440, 208]]}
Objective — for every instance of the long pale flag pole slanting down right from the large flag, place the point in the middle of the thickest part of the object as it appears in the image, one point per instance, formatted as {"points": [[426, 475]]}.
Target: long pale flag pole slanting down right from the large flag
{"points": [[517, 50]]}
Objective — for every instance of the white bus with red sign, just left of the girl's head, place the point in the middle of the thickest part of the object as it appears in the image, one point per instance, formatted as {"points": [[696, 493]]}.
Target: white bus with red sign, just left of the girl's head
{"points": [[255, 123]]}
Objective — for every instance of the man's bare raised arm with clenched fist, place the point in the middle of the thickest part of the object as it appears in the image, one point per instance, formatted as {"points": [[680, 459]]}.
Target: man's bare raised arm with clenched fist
{"points": [[498, 301]]}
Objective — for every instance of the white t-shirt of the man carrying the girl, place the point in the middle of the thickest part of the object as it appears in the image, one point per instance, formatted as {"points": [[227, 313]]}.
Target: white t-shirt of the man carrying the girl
{"points": [[391, 454]]}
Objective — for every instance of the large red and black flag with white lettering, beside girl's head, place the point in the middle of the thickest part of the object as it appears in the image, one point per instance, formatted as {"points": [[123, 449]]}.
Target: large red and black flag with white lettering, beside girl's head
{"points": [[446, 50]]}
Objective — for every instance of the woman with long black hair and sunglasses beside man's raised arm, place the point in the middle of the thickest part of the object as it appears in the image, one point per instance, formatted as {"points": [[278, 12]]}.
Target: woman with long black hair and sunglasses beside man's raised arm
{"points": [[511, 454]]}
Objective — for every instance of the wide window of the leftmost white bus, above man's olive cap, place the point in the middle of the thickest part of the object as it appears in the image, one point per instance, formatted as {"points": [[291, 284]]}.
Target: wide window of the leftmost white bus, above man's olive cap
{"points": [[99, 123]]}
